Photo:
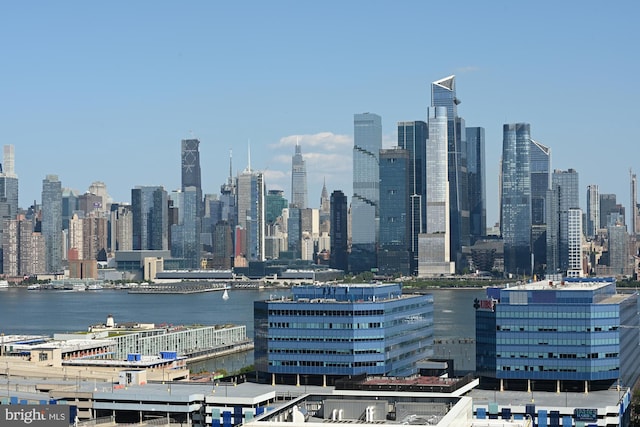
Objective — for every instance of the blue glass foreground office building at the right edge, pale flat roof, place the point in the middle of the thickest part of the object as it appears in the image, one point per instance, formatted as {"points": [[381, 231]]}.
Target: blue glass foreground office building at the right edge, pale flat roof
{"points": [[579, 334]]}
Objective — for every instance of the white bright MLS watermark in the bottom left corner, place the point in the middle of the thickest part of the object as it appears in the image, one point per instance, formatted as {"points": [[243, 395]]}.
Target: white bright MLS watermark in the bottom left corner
{"points": [[34, 415]]}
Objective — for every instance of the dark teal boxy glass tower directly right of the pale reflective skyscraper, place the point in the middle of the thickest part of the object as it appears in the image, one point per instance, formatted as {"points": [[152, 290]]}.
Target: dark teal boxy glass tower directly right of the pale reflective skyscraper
{"points": [[395, 226]]}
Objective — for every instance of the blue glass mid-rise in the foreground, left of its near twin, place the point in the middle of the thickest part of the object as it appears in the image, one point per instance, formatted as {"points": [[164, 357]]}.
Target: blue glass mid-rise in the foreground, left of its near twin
{"points": [[328, 331]]}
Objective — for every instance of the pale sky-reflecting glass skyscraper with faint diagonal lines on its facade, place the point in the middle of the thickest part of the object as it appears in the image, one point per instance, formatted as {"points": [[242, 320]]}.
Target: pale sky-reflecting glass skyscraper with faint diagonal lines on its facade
{"points": [[367, 142]]}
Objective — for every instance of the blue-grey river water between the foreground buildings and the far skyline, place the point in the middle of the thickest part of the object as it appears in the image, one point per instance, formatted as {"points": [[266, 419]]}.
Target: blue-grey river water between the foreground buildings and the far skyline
{"points": [[47, 312]]}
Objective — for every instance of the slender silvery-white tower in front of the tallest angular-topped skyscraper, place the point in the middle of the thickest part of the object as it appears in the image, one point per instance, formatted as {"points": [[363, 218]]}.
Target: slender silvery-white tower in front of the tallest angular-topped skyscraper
{"points": [[434, 251]]}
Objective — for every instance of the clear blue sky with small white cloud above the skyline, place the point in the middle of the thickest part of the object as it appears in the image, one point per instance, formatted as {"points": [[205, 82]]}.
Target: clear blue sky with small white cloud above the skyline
{"points": [[105, 91]]}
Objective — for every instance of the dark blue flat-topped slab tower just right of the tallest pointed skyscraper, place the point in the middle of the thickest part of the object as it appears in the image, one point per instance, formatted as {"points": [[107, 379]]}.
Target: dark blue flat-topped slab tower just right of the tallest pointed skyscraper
{"points": [[477, 183]]}
